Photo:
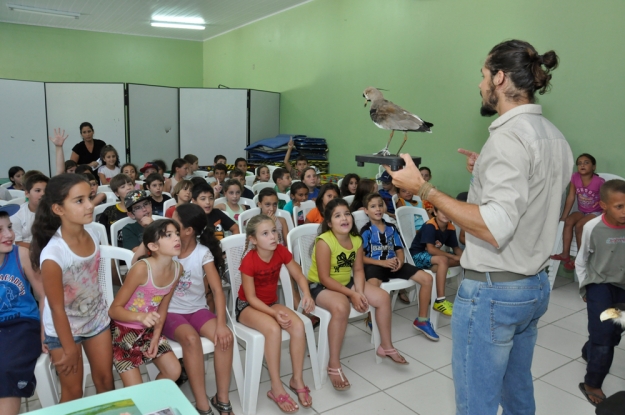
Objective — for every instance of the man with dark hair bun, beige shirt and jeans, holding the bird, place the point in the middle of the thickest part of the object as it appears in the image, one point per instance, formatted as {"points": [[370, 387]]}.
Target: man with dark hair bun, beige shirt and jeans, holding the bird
{"points": [[510, 220]]}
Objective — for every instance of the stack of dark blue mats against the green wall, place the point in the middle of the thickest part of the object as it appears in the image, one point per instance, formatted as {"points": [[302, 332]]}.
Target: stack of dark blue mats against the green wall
{"points": [[272, 150]]}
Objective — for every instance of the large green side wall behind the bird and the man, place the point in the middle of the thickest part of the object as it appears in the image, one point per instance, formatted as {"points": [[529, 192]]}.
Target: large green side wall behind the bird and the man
{"points": [[428, 54]]}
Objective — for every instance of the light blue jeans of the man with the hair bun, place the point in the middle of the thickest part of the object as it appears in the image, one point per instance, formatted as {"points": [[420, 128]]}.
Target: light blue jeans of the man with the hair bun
{"points": [[494, 330]]}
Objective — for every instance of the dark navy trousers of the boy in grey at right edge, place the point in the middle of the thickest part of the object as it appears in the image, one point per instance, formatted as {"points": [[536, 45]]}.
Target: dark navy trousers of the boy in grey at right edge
{"points": [[602, 336]]}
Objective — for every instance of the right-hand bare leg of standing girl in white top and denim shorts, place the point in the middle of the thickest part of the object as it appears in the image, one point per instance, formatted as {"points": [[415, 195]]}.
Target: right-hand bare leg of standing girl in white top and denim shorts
{"points": [[100, 354]]}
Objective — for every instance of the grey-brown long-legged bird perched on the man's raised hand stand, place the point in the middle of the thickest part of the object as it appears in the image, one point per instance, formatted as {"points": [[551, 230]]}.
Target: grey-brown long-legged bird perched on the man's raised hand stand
{"points": [[389, 116]]}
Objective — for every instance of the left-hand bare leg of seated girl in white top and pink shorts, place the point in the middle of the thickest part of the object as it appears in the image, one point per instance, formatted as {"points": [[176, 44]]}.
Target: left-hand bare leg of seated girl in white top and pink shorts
{"points": [[189, 339]]}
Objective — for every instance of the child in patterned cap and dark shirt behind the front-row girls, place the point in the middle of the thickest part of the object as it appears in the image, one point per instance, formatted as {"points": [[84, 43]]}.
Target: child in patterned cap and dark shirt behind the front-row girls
{"points": [[139, 206]]}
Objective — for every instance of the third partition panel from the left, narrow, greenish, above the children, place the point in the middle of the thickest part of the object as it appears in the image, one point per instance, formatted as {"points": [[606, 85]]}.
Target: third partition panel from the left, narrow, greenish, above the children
{"points": [[153, 123]]}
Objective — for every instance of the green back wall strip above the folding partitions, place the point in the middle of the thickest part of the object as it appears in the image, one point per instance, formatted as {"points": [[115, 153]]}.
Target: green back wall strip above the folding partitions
{"points": [[60, 55]]}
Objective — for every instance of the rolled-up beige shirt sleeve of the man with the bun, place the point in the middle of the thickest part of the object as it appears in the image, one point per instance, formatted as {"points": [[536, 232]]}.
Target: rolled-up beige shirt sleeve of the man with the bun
{"points": [[504, 174]]}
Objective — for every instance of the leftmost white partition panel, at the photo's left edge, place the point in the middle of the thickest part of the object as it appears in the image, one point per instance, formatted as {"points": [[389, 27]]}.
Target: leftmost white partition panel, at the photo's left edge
{"points": [[23, 131]]}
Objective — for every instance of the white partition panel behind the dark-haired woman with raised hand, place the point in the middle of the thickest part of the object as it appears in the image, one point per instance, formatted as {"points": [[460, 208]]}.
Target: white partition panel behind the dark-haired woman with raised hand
{"points": [[70, 104]]}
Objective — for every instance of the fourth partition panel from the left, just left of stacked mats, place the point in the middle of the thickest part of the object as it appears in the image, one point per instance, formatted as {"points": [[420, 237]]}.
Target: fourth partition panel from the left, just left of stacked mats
{"points": [[213, 121]]}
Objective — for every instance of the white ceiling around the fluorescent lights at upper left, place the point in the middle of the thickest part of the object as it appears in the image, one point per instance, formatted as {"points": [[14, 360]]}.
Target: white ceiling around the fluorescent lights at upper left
{"points": [[132, 17]]}
